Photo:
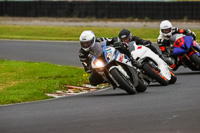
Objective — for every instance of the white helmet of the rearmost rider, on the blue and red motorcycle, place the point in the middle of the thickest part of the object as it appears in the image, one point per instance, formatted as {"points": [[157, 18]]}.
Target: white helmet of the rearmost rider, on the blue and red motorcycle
{"points": [[166, 28]]}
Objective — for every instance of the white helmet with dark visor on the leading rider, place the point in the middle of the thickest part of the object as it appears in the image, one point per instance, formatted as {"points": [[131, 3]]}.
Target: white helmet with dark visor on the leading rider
{"points": [[87, 39]]}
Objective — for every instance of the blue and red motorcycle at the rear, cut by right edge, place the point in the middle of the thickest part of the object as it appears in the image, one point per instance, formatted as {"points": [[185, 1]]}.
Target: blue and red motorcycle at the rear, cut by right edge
{"points": [[186, 52]]}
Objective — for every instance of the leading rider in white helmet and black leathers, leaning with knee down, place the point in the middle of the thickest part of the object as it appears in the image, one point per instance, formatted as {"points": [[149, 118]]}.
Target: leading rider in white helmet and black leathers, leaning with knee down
{"points": [[90, 45]]}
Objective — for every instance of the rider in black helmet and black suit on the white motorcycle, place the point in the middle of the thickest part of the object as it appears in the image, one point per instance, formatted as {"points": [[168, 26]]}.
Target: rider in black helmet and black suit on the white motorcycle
{"points": [[126, 36]]}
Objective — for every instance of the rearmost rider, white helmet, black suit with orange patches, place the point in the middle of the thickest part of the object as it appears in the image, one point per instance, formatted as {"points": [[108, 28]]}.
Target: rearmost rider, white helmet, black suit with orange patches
{"points": [[166, 32]]}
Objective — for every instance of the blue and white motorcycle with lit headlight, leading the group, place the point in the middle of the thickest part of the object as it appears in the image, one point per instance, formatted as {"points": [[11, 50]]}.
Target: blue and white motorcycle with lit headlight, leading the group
{"points": [[117, 69]]}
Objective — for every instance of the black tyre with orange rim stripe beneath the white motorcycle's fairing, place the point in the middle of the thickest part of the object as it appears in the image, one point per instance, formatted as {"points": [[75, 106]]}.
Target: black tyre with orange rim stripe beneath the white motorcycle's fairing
{"points": [[155, 74]]}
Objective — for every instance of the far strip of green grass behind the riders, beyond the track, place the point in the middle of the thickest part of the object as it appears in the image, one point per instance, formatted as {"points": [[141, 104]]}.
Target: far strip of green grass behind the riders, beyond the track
{"points": [[66, 33]]}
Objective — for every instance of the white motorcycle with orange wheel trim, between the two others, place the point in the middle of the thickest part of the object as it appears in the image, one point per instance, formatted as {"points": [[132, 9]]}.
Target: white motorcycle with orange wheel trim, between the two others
{"points": [[154, 69]]}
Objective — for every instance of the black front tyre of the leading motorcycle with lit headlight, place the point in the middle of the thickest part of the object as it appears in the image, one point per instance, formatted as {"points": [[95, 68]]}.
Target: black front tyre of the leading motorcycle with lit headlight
{"points": [[124, 82]]}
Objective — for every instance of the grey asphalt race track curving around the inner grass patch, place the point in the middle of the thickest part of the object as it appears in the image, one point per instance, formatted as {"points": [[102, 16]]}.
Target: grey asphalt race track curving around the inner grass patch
{"points": [[161, 109]]}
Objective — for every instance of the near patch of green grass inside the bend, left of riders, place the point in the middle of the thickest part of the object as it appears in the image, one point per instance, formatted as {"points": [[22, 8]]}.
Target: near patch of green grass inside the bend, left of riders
{"points": [[29, 81]]}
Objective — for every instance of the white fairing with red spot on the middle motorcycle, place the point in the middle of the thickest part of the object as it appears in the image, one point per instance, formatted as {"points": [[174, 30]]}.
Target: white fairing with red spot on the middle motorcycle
{"points": [[141, 52]]}
